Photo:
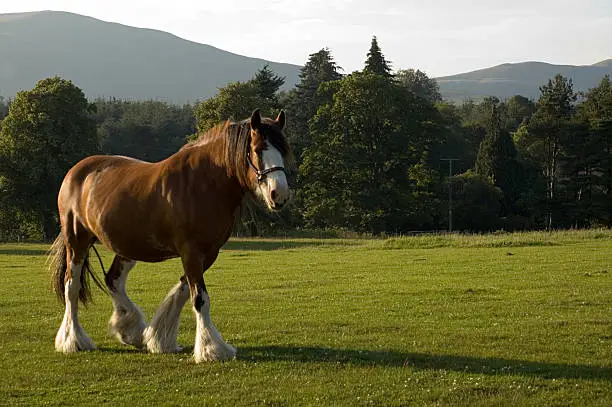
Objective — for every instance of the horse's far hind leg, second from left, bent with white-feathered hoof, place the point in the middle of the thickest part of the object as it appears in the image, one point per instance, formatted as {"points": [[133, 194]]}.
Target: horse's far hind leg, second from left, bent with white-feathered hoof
{"points": [[127, 322]]}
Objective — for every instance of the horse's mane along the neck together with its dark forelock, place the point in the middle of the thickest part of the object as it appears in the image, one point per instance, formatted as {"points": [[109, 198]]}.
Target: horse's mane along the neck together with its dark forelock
{"points": [[237, 137]]}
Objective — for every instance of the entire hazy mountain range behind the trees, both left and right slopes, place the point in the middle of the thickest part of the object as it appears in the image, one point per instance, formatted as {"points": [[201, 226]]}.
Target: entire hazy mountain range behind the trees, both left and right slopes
{"points": [[114, 60]]}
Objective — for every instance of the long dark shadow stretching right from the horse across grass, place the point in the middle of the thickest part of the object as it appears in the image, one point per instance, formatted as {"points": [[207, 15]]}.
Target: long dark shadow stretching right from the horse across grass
{"points": [[422, 361]]}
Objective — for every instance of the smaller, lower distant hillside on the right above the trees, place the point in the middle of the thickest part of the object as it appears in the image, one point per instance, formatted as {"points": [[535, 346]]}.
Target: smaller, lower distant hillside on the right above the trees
{"points": [[524, 79]]}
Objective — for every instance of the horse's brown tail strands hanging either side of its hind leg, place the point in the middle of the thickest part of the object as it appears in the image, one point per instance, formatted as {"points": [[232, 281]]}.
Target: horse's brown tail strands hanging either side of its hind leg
{"points": [[58, 267]]}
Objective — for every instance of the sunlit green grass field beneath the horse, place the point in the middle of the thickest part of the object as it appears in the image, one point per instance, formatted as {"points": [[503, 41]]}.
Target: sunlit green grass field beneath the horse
{"points": [[507, 319]]}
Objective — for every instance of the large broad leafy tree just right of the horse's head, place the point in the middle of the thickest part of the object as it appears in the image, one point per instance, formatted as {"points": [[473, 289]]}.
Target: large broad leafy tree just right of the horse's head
{"points": [[364, 170]]}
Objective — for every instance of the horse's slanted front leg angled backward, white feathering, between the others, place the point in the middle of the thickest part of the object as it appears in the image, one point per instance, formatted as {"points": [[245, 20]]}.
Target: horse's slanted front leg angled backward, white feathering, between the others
{"points": [[160, 336]]}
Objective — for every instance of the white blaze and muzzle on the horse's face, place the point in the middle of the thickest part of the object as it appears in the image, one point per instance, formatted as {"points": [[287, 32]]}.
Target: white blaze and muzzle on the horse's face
{"points": [[274, 188]]}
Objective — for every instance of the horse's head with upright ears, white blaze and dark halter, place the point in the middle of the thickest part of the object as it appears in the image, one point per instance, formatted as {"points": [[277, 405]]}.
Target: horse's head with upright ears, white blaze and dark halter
{"points": [[267, 157]]}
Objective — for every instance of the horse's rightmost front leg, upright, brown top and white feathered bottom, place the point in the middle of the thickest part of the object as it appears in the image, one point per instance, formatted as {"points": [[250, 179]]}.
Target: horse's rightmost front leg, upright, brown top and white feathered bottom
{"points": [[209, 345]]}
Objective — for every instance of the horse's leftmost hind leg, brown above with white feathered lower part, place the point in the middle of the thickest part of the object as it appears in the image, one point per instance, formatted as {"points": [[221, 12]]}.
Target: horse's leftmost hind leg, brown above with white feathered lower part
{"points": [[71, 336]]}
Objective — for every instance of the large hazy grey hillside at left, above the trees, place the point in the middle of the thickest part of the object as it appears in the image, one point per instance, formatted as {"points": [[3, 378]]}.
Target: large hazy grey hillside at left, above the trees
{"points": [[109, 59]]}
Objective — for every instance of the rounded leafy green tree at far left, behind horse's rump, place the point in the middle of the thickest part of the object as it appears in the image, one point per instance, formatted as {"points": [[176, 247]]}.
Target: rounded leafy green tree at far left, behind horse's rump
{"points": [[48, 130]]}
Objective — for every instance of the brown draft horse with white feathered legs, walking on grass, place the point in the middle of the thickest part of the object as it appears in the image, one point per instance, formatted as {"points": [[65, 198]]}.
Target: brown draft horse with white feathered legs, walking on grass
{"points": [[183, 206]]}
